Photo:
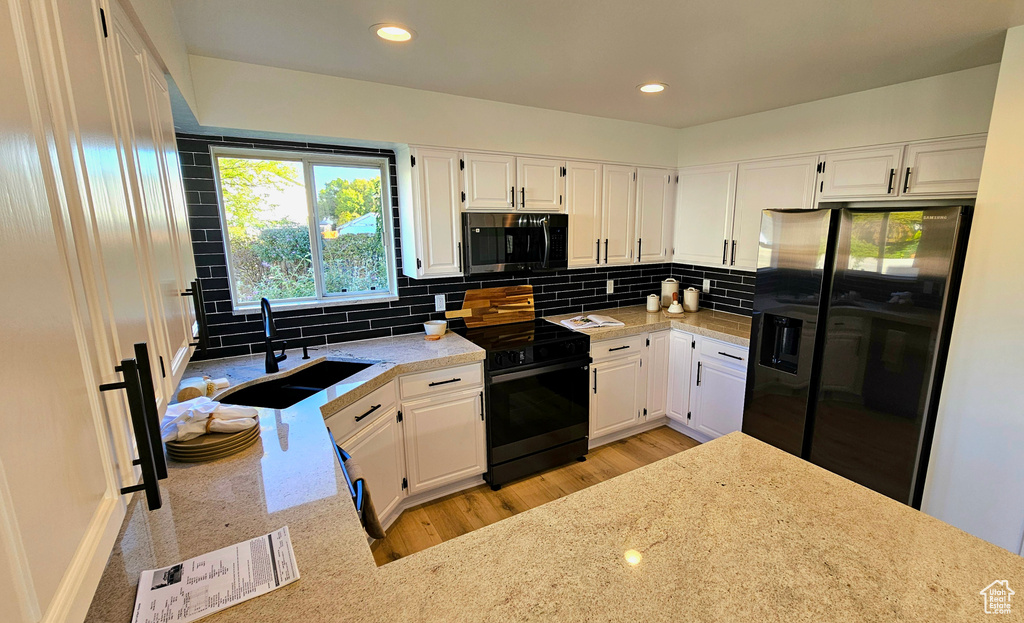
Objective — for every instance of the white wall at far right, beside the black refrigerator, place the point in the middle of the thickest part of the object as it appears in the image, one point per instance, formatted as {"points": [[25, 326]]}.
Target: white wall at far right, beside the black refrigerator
{"points": [[976, 475]]}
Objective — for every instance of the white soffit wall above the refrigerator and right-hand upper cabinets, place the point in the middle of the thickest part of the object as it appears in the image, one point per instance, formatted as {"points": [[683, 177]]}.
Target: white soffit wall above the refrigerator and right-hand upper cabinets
{"points": [[931, 108]]}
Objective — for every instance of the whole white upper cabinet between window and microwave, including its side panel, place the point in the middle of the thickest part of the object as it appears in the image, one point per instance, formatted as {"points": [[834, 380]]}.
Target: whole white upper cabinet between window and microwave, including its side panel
{"points": [[429, 193]]}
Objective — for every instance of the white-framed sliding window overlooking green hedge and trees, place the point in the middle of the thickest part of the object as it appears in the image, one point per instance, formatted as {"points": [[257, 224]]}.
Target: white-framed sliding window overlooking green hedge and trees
{"points": [[275, 203]]}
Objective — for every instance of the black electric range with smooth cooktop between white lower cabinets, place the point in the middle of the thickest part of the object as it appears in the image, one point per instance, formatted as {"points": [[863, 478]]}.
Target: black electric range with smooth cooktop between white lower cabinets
{"points": [[538, 397]]}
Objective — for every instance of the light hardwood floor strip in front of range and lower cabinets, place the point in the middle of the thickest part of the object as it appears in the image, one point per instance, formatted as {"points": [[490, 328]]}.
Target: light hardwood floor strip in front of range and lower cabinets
{"points": [[444, 519]]}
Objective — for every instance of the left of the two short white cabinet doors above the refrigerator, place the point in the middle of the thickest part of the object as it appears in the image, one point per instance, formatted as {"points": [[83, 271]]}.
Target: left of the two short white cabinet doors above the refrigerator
{"points": [[861, 174]]}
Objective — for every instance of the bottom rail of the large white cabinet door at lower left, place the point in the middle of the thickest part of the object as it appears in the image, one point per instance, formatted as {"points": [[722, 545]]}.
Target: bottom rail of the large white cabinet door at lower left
{"points": [[74, 595]]}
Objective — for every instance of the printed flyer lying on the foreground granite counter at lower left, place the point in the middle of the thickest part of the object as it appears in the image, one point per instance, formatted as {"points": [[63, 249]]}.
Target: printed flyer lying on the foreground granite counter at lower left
{"points": [[209, 584]]}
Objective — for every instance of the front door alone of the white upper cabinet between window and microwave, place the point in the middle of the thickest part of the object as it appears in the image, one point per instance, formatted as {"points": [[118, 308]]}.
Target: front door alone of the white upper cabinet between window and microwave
{"points": [[436, 193]]}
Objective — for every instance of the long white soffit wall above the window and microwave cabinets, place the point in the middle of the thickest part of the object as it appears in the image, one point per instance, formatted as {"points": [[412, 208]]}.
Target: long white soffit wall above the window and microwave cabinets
{"points": [[263, 99]]}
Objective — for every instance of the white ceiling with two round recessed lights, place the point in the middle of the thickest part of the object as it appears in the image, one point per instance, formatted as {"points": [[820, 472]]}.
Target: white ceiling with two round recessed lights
{"points": [[721, 59]]}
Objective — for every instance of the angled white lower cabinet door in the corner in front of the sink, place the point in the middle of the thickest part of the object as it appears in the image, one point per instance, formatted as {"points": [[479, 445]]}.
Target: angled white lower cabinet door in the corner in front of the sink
{"points": [[380, 453]]}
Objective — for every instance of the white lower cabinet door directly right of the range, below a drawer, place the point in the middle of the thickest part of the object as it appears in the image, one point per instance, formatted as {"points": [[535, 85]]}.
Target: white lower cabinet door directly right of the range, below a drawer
{"points": [[617, 396]]}
